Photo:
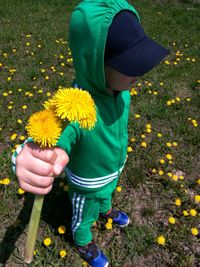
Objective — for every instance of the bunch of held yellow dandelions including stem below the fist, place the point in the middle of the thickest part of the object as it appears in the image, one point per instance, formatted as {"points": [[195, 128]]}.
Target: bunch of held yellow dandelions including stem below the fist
{"points": [[45, 128]]}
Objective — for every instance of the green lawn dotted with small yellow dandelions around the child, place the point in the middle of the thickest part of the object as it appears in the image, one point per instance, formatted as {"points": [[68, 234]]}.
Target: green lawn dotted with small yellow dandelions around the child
{"points": [[38, 31]]}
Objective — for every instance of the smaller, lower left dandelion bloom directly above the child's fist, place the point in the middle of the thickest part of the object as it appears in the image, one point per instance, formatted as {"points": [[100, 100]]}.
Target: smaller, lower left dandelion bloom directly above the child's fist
{"points": [[44, 127]]}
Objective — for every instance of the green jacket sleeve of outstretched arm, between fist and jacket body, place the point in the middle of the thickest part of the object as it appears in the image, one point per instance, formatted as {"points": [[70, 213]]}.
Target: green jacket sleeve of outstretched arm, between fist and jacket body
{"points": [[69, 137]]}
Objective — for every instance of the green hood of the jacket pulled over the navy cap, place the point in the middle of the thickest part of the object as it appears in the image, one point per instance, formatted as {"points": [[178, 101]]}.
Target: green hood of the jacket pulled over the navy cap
{"points": [[88, 30]]}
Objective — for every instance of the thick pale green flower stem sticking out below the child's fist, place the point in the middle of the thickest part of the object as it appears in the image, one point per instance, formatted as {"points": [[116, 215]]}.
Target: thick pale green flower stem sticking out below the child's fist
{"points": [[33, 228]]}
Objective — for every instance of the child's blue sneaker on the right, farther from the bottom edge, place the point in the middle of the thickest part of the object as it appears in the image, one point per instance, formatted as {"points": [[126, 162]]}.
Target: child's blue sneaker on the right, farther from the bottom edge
{"points": [[119, 218]]}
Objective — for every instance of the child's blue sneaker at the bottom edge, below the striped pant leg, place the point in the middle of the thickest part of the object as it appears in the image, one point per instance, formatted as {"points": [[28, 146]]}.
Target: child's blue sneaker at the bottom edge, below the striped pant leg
{"points": [[93, 255]]}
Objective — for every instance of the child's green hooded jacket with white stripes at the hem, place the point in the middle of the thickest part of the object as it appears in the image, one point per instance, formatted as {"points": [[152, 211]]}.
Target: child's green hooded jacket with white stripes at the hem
{"points": [[96, 156]]}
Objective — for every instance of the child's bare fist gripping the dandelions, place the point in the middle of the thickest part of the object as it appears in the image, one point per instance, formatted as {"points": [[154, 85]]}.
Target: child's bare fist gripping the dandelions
{"points": [[36, 167]]}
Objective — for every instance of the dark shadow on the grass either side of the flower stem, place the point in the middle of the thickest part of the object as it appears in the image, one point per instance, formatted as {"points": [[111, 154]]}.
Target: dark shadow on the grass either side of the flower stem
{"points": [[56, 211]]}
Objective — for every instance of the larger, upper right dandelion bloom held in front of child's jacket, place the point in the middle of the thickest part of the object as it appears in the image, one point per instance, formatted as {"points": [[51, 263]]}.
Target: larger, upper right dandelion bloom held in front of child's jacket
{"points": [[74, 105]]}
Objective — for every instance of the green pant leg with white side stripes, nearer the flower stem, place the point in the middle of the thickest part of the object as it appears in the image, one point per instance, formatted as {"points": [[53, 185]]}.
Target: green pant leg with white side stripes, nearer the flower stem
{"points": [[85, 213]]}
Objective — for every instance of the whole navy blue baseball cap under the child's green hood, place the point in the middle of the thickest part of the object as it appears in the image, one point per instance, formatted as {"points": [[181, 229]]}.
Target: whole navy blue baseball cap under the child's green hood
{"points": [[128, 49]]}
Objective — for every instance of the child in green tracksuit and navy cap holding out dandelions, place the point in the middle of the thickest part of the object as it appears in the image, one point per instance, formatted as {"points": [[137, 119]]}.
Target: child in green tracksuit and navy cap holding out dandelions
{"points": [[110, 50]]}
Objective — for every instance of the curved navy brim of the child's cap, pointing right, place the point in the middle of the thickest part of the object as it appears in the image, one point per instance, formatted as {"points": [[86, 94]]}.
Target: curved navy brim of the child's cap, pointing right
{"points": [[139, 59]]}
